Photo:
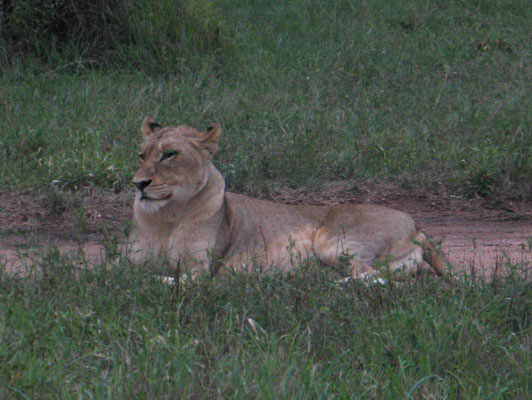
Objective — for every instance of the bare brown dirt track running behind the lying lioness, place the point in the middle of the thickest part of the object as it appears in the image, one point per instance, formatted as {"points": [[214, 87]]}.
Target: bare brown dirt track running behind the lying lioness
{"points": [[477, 235]]}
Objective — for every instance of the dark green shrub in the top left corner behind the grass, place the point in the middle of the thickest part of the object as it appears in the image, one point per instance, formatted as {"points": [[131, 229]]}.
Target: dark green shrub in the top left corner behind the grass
{"points": [[153, 35]]}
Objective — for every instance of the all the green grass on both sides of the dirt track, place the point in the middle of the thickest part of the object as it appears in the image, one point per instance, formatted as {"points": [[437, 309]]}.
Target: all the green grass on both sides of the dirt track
{"points": [[429, 94]]}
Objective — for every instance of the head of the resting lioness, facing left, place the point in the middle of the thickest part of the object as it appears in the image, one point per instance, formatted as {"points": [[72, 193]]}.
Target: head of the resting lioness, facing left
{"points": [[172, 163]]}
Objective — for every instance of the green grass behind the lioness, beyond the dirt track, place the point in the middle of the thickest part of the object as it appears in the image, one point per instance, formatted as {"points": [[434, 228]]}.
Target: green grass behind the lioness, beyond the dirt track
{"points": [[424, 93]]}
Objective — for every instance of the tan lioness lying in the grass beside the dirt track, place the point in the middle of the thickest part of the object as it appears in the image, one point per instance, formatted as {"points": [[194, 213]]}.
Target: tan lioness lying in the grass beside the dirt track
{"points": [[182, 210]]}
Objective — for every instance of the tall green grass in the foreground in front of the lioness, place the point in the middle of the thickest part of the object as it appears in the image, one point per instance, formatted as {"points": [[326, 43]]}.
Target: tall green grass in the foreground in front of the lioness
{"points": [[115, 331]]}
